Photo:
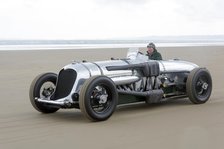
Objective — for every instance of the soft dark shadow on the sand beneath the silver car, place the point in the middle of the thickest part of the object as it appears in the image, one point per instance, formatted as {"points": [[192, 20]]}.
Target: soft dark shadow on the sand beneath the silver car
{"points": [[74, 115]]}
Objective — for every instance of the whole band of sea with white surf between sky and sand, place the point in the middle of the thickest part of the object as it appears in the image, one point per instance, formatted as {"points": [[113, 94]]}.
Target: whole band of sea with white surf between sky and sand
{"points": [[160, 41]]}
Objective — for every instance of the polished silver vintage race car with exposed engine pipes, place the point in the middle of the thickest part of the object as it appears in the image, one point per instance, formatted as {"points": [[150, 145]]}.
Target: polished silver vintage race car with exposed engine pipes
{"points": [[96, 88]]}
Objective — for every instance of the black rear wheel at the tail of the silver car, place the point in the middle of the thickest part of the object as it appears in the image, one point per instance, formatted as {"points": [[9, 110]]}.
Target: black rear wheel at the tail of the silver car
{"points": [[199, 85]]}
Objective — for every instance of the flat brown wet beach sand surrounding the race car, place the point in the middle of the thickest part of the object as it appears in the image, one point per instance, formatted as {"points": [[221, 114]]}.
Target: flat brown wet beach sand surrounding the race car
{"points": [[175, 124]]}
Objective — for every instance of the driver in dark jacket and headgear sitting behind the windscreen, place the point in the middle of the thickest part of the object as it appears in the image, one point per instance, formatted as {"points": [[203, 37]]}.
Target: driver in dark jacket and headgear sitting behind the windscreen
{"points": [[152, 53]]}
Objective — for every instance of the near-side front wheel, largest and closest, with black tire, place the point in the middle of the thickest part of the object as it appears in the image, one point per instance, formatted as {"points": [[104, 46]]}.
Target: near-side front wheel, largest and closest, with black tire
{"points": [[94, 108]]}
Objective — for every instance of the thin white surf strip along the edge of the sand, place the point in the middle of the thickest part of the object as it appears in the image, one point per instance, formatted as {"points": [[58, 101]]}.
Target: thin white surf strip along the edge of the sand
{"points": [[100, 46]]}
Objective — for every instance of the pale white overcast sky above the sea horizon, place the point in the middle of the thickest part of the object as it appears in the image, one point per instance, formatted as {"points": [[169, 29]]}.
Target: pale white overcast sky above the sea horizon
{"points": [[109, 19]]}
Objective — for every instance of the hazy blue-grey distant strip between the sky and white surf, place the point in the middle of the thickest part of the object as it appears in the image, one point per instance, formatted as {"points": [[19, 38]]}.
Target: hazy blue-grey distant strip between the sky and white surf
{"points": [[137, 40]]}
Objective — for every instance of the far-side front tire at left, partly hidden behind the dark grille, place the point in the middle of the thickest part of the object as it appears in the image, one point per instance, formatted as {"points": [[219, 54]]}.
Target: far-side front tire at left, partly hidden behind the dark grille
{"points": [[36, 91]]}
